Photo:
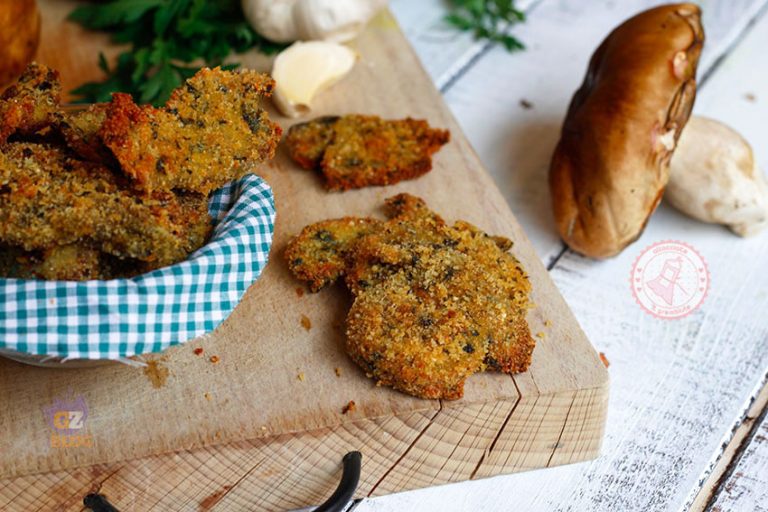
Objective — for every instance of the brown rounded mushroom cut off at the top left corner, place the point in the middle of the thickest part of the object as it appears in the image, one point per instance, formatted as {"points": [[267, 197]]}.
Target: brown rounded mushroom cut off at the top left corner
{"points": [[19, 37]]}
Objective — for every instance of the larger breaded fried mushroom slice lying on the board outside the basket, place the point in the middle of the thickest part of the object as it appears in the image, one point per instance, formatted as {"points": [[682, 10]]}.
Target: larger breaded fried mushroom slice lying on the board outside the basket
{"points": [[422, 321]]}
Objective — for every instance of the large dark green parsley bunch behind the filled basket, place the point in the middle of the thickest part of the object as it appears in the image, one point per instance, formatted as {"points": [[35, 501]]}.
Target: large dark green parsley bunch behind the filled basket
{"points": [[169, 39]]}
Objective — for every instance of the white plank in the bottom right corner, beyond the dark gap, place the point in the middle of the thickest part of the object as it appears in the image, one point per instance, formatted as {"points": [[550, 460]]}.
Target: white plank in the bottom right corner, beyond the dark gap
{"points": [[747, 486]]}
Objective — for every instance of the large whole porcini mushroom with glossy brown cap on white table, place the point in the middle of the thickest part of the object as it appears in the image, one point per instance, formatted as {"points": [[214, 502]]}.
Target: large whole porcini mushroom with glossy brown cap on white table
{"points": [[609, 170]]}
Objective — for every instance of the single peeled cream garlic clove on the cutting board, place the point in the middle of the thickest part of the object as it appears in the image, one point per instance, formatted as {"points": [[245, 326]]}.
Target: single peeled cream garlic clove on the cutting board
{"points": [[304, 69]]}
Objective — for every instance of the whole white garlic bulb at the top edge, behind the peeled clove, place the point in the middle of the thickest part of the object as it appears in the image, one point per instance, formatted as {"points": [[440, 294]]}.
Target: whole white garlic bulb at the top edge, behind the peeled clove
{"points": [[285, 21]]}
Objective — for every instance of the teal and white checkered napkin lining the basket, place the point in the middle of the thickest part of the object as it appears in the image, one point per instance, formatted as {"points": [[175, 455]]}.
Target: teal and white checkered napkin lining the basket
{"points": [[151, 312]]}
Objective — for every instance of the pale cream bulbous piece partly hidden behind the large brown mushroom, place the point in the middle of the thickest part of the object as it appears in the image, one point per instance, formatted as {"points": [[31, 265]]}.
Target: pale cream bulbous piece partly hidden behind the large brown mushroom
{"points": [[714, 178]]}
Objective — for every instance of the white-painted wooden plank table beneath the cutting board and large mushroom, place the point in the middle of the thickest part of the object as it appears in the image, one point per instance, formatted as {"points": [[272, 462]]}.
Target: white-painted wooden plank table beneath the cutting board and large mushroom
{"points": [[687, 425]]}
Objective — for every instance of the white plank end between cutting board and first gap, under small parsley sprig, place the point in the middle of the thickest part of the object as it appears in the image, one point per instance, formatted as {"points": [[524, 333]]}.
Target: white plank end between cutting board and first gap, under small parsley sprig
{"points": [[444, 50]]}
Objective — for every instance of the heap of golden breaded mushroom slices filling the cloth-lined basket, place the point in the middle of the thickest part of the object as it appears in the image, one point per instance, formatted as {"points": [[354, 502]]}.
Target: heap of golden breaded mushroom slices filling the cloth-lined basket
{"points": [[117, 189]]}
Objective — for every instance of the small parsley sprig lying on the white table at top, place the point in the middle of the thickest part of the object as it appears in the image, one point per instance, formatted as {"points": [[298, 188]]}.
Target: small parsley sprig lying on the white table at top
{"points": [[487, 19]]}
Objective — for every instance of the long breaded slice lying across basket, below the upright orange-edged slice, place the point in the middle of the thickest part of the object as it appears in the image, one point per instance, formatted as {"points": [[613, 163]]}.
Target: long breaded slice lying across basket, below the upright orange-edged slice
{"points": [[48, 199]]}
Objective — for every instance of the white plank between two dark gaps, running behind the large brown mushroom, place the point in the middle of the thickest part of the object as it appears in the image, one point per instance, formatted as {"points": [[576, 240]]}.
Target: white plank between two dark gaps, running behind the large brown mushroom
{"points": [[515, 143]]}
